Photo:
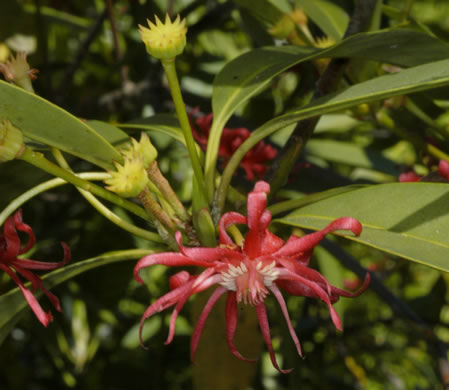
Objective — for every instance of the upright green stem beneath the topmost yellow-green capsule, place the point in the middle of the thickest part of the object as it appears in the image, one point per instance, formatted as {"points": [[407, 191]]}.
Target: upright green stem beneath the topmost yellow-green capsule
{"points": [[170, 72]]}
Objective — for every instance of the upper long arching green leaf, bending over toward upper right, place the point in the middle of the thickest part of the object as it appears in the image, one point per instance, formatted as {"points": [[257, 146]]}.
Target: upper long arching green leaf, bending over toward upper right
{"points": [[251, 72]]}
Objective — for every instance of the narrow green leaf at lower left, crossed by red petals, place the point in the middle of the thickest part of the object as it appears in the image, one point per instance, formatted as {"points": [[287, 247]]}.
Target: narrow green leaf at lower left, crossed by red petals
{"points": [[13, 304]]}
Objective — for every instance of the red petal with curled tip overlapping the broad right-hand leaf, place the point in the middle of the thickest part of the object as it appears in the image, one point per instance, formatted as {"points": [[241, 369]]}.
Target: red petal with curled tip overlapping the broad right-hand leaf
{"points": [[308, 242]]}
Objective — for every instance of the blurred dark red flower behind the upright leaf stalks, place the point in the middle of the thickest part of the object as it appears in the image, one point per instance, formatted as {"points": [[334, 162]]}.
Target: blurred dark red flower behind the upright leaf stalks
{"points": [[254, 161]]}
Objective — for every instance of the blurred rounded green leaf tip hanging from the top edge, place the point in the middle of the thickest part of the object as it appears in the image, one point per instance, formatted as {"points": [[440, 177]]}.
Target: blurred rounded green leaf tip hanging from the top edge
{"points": [[327, 16]]}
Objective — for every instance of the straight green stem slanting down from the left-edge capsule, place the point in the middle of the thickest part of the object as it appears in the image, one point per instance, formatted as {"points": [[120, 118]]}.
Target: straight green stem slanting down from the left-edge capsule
{"points": [[39, 160]]}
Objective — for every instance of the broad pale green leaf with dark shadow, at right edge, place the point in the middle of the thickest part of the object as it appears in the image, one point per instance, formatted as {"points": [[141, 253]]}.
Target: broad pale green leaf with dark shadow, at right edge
{"points": [[410, 220]]}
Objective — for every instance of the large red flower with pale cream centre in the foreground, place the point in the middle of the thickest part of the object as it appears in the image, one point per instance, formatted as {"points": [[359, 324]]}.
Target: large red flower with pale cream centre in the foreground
{"points": [[248, 273]]}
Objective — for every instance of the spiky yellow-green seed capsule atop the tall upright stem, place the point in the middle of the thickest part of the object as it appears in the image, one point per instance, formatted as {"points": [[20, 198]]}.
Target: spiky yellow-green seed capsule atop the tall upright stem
{"points": [[164, 40]]}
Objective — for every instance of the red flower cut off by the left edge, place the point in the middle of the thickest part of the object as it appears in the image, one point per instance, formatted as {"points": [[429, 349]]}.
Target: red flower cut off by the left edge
{"points": [[10, 249]]}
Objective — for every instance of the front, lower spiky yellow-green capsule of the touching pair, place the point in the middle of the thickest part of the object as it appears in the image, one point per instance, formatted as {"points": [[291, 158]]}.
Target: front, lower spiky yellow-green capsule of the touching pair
{"points": [[129, 180]]}
